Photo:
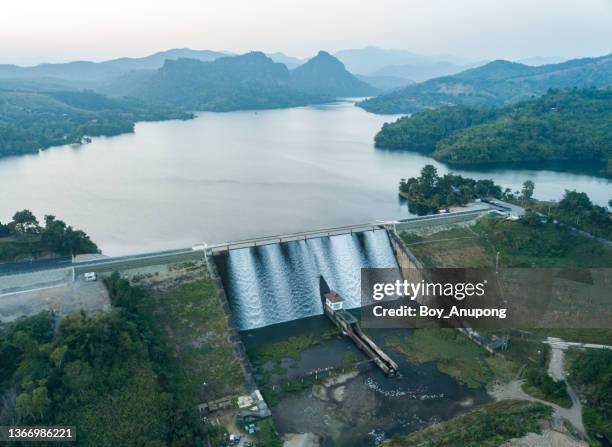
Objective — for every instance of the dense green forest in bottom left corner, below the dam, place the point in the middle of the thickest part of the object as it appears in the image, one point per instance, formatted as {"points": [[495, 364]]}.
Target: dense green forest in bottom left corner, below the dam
{"points": [[104, 374]]}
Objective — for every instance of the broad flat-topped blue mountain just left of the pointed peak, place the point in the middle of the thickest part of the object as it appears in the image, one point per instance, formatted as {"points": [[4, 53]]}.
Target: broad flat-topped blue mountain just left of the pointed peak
{"points": [[250, 81]]}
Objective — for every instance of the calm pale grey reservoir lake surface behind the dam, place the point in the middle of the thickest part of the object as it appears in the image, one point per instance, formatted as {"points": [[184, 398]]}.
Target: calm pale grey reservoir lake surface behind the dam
{"points": [[228, 176]]}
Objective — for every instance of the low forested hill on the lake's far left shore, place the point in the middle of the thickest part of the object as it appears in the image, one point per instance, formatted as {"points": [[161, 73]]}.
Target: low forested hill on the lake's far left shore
{"points": [[31, 121]]}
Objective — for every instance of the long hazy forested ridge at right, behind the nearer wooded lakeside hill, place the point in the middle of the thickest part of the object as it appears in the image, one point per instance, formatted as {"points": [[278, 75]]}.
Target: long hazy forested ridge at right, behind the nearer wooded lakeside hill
{"points": [[495, 84]]}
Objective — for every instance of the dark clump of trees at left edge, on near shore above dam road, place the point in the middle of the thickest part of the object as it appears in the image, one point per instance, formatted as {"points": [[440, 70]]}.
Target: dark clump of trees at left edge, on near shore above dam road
{"points": [[23, 237]]}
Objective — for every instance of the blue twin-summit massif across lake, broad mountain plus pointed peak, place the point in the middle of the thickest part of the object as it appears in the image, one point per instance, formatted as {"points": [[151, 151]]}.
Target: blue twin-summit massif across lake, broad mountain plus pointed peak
{"points": [[250, 81]]}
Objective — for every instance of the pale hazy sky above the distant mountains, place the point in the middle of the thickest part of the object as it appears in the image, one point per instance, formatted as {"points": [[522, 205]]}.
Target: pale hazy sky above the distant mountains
{"points": [[32, 31]]}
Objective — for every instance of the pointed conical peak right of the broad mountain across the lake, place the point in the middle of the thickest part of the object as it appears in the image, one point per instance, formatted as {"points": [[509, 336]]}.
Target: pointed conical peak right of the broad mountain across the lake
{"points": [[324, 75]]}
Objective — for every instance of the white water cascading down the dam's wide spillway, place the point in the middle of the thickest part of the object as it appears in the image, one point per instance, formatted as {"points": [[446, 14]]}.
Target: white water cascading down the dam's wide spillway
{"points": [[276, 283]]}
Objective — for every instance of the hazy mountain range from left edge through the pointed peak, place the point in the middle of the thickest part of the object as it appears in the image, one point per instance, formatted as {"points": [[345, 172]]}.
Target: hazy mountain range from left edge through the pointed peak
{"points": [[198, 80]]}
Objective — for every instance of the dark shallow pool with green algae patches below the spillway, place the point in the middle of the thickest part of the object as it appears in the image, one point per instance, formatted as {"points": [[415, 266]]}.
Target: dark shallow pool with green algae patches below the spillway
{"points": [[316, 381]]}
